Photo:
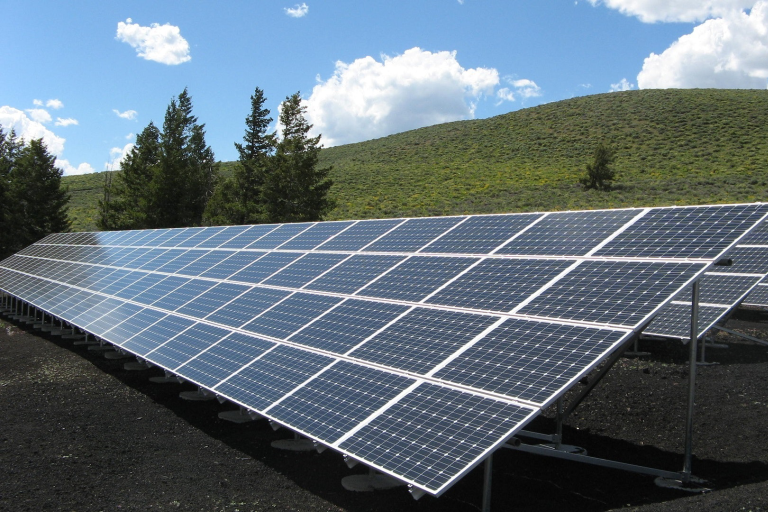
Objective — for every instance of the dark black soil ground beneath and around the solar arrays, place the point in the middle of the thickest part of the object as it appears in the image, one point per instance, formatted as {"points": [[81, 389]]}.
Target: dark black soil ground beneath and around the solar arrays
{"points": [[80, 433]]}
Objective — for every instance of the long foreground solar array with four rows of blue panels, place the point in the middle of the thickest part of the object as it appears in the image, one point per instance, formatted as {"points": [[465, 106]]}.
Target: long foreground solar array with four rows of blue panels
{"points": [[416, 346]]}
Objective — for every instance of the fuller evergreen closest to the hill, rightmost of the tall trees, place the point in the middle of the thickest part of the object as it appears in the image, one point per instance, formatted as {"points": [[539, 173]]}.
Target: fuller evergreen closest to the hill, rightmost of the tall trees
{"points": [[294, 189]]}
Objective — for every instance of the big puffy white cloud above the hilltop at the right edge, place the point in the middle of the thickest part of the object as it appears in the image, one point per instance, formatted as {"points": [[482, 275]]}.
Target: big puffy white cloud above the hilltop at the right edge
{"points": [[727, 52]]}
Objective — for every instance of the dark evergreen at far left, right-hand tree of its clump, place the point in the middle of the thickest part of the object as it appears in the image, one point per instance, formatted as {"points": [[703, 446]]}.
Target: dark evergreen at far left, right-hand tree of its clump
{"points": [[39, 204]]}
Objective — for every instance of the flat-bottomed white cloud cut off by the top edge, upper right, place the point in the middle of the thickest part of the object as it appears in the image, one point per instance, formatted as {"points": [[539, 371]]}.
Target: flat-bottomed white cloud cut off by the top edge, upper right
{"points": [[650, 11]]}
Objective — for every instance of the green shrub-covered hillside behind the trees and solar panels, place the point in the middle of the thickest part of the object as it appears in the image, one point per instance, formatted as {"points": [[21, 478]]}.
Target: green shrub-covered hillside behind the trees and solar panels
{"points": [[672, 147]]}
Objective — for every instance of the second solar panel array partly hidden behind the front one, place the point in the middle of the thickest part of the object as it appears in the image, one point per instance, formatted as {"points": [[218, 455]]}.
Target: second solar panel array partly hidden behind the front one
{"points": [[721, 290]]}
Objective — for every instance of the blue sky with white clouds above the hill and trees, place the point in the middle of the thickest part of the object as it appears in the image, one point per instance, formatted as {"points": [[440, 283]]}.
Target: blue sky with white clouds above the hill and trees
{"points": [[87, 76]]}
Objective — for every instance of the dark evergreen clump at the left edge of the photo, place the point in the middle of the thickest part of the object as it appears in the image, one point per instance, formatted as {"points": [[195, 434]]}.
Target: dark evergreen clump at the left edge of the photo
{"points": [[32, 202]]}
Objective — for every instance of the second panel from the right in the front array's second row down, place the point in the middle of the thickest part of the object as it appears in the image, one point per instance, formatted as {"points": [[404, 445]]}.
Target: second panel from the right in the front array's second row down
{"points": [[499, 285]]}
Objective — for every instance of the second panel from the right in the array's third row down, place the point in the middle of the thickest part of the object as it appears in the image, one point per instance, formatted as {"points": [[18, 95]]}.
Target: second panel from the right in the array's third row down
{"points": [[422, 339]]}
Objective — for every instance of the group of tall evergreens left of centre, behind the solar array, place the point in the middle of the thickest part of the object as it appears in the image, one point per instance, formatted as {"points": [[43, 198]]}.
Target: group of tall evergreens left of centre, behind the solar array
{"points": [[171, 179]]}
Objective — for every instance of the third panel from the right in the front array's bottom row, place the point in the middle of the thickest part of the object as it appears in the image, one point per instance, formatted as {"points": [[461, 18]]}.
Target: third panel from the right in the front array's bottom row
{"points": [[268, 378]]}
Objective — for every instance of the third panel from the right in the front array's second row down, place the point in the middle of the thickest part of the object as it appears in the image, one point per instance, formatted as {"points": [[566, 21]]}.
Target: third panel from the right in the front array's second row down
{"points": [[416, 278]]}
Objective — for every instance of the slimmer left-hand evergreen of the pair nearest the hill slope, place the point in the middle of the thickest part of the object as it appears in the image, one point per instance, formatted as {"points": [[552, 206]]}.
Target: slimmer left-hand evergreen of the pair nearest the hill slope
{"points": [[237, 199]]}
